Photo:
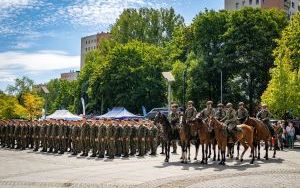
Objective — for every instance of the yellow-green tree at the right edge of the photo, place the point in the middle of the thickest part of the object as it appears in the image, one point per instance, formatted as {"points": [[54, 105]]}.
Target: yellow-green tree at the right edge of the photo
{"points": [[283, 91]]}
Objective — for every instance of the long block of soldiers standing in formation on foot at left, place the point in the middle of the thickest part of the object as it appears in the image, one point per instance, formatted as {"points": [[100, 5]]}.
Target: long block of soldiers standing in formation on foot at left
{"points": [[112, 138]]}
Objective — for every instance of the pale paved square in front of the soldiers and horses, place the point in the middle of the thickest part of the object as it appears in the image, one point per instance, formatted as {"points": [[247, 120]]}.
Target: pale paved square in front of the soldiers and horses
{"points": [[35, 169]]}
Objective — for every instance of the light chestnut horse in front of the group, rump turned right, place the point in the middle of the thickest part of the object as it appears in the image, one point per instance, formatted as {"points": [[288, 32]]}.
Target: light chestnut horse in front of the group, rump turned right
{"points": [[245, 137]]}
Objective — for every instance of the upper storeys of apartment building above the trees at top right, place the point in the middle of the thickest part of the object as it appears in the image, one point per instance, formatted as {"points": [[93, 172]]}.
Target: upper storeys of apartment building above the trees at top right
{"points": [[291, 7]]}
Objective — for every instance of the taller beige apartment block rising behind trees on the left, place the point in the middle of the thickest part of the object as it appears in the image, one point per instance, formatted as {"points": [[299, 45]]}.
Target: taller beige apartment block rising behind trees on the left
{"points": [[90, 43]]}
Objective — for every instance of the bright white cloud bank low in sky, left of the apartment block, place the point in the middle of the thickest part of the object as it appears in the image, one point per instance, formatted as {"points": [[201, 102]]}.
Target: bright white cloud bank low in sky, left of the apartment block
{"points": [[15, 64]]}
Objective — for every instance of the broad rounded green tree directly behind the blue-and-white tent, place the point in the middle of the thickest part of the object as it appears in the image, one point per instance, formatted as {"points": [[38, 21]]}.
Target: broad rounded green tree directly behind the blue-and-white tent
{"points": [[130, 76]]}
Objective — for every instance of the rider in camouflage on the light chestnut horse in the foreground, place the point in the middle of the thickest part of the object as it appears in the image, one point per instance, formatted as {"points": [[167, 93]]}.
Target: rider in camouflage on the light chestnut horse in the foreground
{"points": [[231, 121]]}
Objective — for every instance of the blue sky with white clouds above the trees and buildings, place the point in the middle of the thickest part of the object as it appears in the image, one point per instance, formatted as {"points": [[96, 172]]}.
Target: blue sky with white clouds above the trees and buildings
{"points": [[41, 38]]}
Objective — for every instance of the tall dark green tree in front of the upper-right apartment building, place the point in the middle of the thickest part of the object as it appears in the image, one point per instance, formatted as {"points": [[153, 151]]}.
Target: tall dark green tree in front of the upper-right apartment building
{"points": [[249, 43]]}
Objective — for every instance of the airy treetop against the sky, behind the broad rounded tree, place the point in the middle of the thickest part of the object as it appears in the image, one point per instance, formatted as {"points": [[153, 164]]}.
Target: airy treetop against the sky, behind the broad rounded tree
{"points": [[146, 25]]}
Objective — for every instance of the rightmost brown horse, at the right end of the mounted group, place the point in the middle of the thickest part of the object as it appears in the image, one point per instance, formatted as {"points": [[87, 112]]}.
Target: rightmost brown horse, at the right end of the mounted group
{"points": [[261, 132]]}
